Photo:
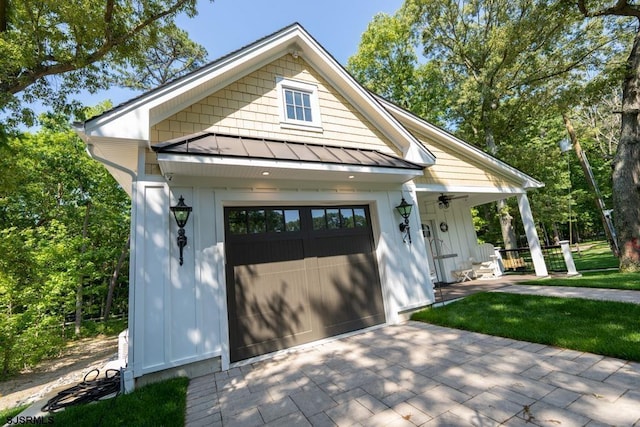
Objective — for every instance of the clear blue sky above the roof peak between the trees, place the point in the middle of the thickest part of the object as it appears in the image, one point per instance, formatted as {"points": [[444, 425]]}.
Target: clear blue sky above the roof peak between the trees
{"points": [[224, 26]]}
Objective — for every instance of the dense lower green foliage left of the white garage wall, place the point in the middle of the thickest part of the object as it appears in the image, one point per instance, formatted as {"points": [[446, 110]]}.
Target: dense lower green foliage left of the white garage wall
{"points": [[46, 189]]}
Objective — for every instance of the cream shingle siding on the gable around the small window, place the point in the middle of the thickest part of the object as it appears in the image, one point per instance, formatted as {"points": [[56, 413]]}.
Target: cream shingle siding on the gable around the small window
{"points": [[250, 107]]}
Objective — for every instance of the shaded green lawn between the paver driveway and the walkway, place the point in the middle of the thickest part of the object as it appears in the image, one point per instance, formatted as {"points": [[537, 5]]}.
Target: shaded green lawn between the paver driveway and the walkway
{"points": [[606, 328]]}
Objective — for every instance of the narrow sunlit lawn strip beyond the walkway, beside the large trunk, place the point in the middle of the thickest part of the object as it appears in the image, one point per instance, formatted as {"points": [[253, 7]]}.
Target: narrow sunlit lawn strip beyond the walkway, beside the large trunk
{"points": [[604, 279]]}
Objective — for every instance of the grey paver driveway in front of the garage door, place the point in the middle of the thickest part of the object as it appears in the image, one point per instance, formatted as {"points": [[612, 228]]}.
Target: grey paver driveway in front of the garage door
{"points": [[420, 374]]}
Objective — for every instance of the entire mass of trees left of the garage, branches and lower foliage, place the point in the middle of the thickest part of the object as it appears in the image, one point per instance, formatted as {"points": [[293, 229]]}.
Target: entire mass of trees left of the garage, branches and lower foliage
{"points": [[64, 221]]}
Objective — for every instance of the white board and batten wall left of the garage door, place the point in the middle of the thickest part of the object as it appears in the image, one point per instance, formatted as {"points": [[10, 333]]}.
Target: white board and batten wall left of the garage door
{"points": [[177, 308]]}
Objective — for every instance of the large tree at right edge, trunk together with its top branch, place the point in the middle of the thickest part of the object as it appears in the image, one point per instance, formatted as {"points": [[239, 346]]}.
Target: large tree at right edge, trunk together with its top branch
{"points": [[626, 163]]}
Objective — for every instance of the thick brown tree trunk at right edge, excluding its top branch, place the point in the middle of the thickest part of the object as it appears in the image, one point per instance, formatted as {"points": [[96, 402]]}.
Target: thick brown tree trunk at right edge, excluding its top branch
{"points": [[626, 167]]}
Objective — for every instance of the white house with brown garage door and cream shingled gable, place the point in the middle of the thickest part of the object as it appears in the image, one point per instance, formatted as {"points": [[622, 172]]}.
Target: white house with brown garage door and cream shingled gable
{"points": [[293, 172]]}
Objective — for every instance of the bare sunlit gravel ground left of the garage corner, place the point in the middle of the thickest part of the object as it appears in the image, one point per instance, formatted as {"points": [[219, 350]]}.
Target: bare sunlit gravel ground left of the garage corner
{"points": [[78, 358]]}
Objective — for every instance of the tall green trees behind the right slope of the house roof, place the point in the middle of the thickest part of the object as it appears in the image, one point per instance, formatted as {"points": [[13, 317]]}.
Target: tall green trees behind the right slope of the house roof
{"points": [[510, 77]]}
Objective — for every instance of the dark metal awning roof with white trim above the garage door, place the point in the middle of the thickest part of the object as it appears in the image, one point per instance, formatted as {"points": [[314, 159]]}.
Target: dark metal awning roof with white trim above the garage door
{"points": [[223, 156]]}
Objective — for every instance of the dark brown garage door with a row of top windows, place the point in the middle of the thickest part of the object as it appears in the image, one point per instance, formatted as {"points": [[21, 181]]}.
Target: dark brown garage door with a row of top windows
{"points": [[298, 274]]}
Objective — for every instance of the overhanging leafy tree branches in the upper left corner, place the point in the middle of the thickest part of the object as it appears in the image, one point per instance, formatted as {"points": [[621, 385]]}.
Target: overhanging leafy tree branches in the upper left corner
{"points": [[50, 49]]}
